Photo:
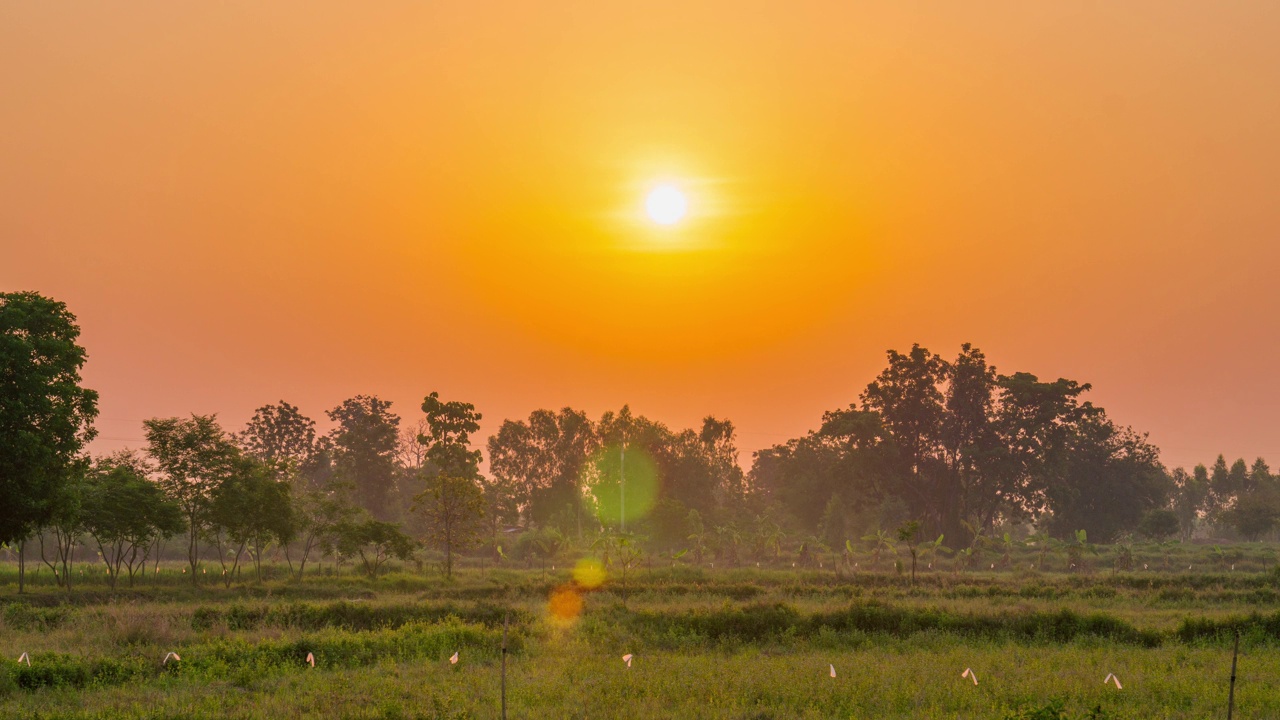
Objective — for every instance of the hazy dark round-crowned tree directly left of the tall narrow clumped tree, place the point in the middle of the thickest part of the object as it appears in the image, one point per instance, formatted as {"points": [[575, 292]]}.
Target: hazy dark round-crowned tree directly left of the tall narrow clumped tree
{"points": [[364, 449]]}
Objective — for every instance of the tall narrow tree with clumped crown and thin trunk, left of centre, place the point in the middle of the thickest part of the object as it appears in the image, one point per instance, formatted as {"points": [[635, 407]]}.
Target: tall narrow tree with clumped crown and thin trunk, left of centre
{"points": [[452, 505]]}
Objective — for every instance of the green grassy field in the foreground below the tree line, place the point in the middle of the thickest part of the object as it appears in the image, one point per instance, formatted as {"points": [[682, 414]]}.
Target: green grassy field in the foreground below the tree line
{"points": [[734, 644]]}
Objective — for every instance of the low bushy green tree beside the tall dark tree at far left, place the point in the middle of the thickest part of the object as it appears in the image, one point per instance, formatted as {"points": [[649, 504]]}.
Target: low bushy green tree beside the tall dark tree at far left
{"points": [[126, 513]]}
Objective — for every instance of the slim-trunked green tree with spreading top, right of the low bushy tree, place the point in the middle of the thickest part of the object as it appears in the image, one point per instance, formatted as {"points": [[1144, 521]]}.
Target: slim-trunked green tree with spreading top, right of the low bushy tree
{"points": [[194, 455]]}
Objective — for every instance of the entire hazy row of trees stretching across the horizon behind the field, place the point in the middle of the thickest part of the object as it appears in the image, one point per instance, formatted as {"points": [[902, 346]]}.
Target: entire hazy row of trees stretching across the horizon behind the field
{"points": [[948, 449]]}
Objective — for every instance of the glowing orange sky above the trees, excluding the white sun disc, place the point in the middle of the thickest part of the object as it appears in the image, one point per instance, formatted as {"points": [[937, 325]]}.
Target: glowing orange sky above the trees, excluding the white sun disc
{"points": [[245, 203]]}
